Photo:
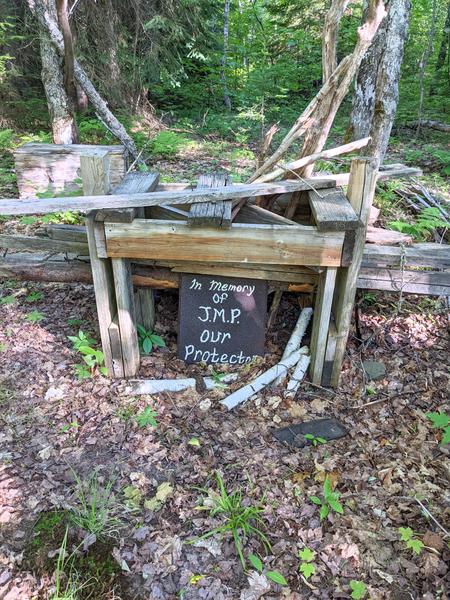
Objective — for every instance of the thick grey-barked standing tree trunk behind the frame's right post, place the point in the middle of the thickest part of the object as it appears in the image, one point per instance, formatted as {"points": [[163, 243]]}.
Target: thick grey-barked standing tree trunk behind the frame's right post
{"points": [[376, 93]]}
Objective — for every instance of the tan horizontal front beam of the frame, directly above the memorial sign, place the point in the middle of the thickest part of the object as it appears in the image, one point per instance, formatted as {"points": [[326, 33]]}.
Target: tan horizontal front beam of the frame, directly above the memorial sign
{"points": [[275, 244]]}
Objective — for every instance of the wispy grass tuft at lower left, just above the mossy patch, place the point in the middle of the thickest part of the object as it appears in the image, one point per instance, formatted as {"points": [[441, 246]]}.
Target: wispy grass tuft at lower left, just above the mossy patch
{"points": [[95, 508]]}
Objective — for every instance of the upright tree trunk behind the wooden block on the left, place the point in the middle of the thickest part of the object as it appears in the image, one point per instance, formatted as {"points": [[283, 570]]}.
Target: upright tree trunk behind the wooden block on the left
{"points": [[61, 117]]}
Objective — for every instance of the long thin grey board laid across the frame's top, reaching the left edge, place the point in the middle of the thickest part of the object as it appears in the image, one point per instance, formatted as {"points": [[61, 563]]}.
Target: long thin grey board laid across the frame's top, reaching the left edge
{"points": [[10, 206]]}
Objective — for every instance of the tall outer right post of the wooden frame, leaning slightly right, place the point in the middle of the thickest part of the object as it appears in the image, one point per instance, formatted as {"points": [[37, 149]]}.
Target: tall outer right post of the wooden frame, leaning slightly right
{"points": [[360, 192]]}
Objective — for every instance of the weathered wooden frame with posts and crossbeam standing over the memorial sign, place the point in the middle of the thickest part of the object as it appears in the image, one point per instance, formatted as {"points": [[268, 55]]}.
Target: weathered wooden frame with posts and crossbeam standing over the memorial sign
{"points": [[202, 238]]}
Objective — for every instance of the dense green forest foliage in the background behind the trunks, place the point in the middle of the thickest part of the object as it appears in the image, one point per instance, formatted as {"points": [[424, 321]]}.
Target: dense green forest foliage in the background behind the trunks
{"points": [[172, 58]]}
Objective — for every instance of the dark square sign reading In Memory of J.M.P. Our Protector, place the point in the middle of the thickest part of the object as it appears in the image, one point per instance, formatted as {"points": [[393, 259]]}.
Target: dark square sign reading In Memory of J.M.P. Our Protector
{"points": [[221, 319]]}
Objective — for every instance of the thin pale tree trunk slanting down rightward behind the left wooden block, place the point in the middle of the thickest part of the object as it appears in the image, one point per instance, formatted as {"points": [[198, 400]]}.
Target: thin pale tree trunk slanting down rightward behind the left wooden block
{"points": [[48, 23]]}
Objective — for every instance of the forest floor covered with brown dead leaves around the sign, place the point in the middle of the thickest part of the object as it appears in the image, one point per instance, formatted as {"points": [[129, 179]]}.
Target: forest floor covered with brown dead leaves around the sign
{"points": [[52, 425]]}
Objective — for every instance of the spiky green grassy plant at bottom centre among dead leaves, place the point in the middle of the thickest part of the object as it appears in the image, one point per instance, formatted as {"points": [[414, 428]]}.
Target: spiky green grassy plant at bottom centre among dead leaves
{"points": [[239, 520]]}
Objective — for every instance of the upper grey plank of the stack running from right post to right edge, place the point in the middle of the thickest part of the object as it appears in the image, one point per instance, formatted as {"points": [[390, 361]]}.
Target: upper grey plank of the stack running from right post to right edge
{"points": [[427, 254]]}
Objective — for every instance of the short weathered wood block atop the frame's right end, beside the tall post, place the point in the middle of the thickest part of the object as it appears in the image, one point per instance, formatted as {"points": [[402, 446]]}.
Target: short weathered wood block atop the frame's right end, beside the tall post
{"points": [[332, 211]]}
